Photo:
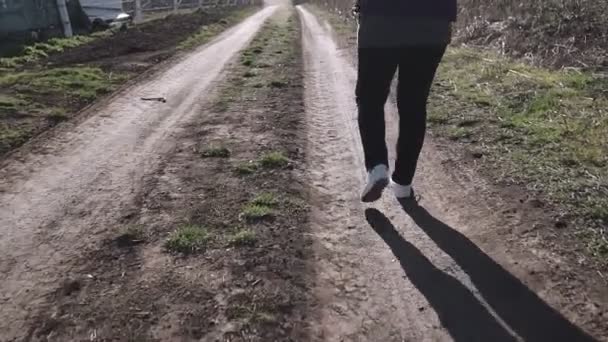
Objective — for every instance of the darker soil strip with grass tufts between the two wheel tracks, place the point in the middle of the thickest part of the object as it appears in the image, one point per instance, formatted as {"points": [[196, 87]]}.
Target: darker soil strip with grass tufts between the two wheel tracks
{"points": [[251, 292]]}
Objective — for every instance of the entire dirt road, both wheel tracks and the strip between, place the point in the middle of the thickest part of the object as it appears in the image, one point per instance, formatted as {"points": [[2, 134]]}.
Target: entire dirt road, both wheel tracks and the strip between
{"points": [[86, 213]]}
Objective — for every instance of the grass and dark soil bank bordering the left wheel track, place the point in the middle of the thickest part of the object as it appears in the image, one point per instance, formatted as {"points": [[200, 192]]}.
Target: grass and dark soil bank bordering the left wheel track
{"points": [[51, 82]]}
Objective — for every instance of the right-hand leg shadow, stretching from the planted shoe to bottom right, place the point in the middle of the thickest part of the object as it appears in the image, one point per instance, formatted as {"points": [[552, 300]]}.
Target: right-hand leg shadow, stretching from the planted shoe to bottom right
{"points": [[518, 306]]}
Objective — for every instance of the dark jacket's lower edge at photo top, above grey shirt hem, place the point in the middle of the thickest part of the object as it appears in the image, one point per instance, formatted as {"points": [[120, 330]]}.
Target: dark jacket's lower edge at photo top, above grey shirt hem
{"points": [[436, 9]]}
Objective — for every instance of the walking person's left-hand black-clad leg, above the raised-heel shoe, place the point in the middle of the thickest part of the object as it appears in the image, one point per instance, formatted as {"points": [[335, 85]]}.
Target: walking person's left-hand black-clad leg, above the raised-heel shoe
{"points": [[376, 69]]}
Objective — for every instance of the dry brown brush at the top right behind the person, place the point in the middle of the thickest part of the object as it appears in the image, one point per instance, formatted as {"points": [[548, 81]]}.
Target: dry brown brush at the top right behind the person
{"points": [[557, 33]]}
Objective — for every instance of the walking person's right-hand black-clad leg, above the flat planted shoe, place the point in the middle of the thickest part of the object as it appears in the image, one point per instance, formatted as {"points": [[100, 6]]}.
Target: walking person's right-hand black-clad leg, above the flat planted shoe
{"points": [[417, 67]]}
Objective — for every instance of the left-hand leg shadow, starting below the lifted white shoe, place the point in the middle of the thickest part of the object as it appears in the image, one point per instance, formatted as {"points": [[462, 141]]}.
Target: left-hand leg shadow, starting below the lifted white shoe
{"points": [[465, 318]]}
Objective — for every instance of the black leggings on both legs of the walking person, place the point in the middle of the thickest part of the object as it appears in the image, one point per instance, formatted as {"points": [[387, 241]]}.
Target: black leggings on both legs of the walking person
{"points": [[377, 66]]}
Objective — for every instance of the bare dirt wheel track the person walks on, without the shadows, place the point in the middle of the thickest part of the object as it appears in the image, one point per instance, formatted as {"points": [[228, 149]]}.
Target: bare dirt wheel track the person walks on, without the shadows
{"points": [[400, 277]]}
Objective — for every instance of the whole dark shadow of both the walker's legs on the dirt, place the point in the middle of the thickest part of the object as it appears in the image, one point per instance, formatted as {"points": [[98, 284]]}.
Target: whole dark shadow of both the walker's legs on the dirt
{"points": [[460, 312]]}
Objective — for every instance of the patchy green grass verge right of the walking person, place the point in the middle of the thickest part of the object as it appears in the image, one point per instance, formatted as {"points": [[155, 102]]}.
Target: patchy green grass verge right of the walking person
{"points": [[546, 128]]}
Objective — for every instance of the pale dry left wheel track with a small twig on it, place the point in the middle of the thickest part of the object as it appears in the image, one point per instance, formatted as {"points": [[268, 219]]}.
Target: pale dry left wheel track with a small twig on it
{"points": [[55, 202]]}
